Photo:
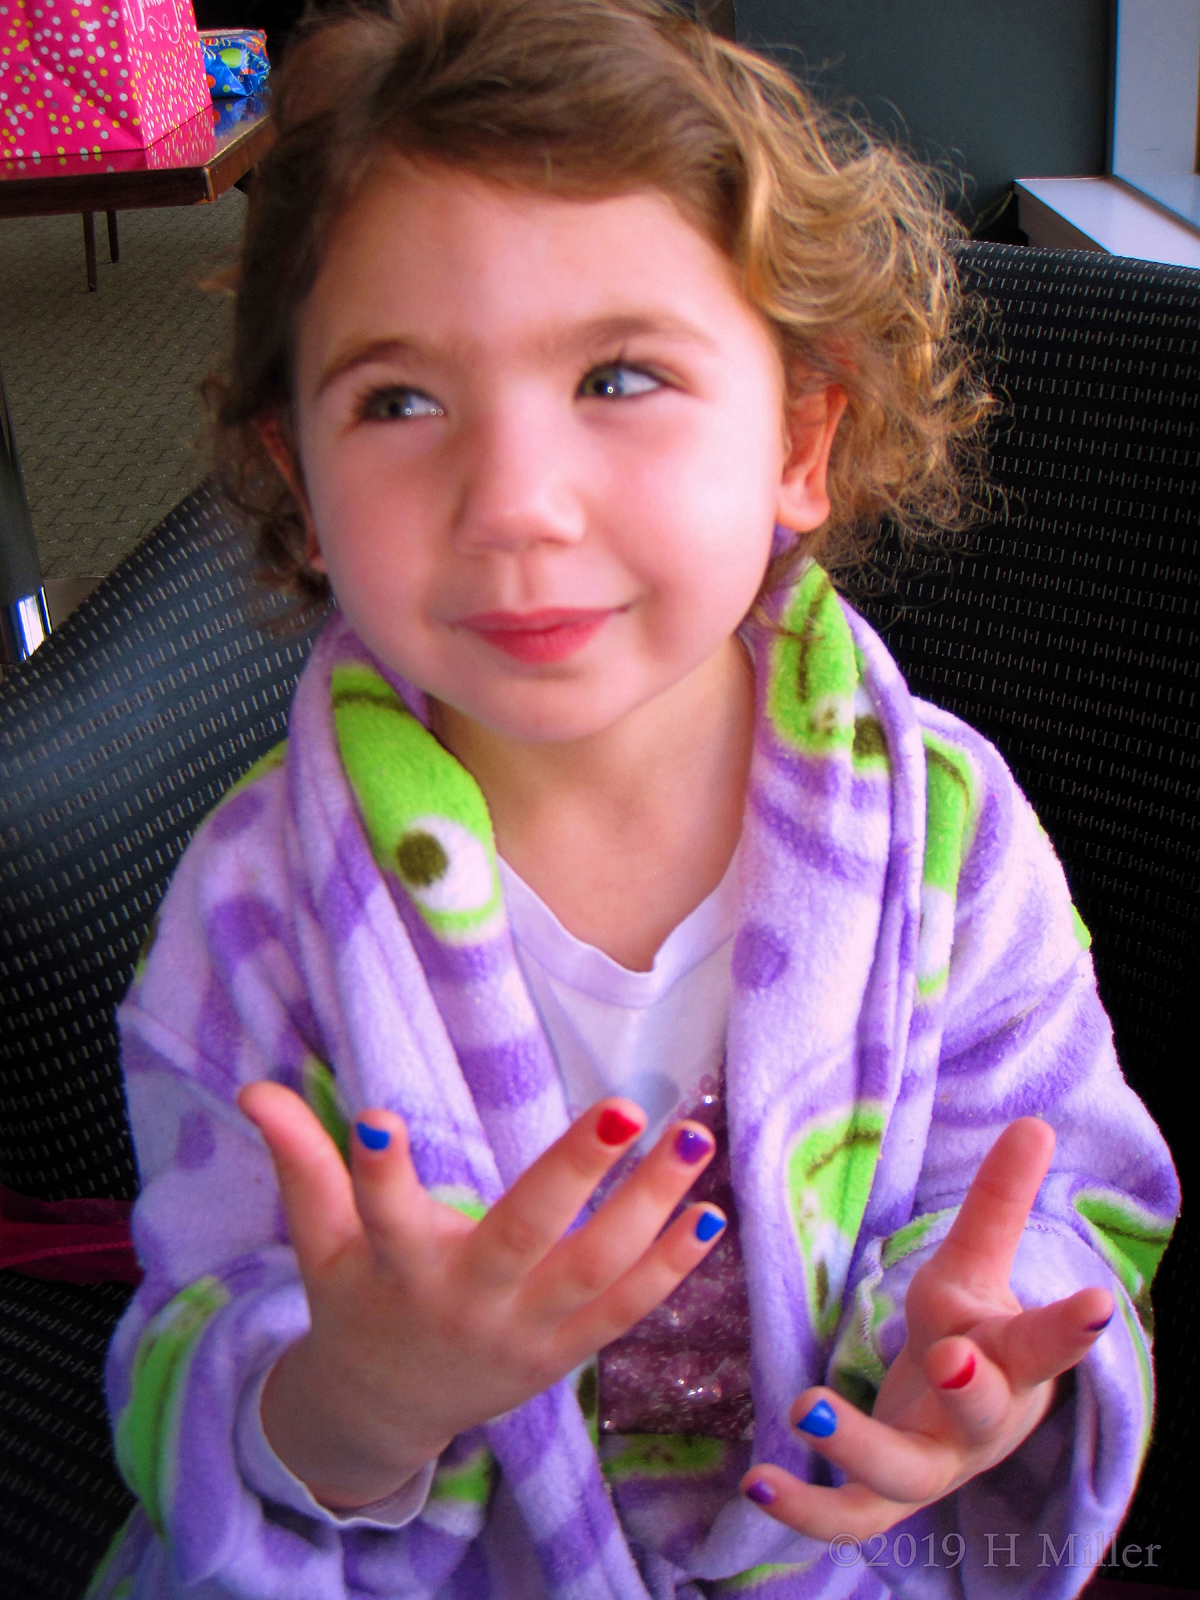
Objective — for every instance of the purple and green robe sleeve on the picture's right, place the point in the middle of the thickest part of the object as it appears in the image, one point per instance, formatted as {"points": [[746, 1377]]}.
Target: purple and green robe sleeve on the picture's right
{"points": [[1023, 1033]]}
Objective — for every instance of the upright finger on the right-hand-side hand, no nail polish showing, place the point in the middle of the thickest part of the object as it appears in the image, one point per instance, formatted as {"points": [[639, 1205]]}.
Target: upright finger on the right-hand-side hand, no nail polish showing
{"points": [[980, 1249]]}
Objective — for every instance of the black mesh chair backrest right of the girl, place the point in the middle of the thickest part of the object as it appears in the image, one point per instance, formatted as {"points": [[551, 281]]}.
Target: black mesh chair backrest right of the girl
{"points": [[1070, 634]]}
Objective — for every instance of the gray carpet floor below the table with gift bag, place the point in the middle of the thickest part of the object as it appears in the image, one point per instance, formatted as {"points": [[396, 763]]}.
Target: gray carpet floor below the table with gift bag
{"points": [[103, 388]]}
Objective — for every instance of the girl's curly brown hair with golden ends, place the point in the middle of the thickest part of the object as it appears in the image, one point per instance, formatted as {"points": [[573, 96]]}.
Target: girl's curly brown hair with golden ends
{"points": [[841, 242]]}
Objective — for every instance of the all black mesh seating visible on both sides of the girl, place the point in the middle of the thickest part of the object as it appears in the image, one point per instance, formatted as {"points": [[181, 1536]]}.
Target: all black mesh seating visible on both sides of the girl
{"points": [[1066, 631]]}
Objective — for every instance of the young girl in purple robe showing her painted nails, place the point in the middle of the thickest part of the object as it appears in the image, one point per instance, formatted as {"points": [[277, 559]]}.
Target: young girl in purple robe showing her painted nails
{"points": [[622, 1098]]}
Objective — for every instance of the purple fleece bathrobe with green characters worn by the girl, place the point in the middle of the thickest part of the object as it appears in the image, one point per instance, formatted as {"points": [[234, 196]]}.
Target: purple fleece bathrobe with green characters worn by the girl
{"points": [[910, 977]]}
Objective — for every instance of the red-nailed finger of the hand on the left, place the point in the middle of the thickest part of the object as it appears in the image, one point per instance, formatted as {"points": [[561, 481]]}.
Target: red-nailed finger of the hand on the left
{"points": [[530, 1220]]}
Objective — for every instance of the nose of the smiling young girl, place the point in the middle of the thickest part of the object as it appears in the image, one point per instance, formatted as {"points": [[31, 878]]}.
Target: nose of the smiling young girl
{"points": [[519, 484]]}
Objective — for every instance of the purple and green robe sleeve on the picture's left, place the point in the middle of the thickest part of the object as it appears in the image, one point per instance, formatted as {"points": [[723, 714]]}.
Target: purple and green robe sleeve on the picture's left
{"points": [[231, 993]]}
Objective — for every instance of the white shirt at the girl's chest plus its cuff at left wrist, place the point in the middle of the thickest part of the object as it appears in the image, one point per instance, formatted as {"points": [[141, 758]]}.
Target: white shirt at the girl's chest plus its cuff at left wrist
{"points": [[652, 1038]]}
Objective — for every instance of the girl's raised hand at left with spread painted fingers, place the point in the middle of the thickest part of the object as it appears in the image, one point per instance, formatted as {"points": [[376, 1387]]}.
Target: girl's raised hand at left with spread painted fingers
{"points": [[425, 1322]]}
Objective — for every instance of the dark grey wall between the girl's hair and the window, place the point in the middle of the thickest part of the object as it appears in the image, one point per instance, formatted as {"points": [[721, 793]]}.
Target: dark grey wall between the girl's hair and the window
{"points": [[1006, 89]]}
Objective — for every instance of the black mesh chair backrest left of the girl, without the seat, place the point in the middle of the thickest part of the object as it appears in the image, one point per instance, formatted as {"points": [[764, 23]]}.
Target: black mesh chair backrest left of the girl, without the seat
{"points": [[116, 740]]}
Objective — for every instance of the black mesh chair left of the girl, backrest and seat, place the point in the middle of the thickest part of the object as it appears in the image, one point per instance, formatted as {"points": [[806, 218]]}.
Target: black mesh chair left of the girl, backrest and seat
{"points": [[116, 740]]}
